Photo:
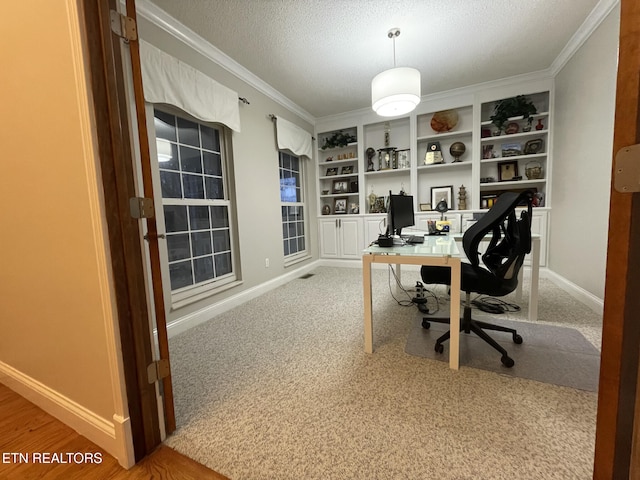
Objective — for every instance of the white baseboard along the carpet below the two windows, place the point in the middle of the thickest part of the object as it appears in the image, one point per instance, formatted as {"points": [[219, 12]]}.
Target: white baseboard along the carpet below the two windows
{"points": [[196, 318]]}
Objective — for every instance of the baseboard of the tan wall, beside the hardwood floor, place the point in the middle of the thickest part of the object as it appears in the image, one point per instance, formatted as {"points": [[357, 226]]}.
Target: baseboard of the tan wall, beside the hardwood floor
{"points": [[113, 436]]}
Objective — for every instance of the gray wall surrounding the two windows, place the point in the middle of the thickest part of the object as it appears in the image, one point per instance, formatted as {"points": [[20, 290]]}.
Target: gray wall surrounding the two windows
{"points": [[255, 160]]}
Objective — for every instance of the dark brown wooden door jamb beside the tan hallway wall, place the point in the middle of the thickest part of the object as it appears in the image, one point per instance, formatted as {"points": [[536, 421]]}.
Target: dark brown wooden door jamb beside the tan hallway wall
{"points": [[116, 159]]}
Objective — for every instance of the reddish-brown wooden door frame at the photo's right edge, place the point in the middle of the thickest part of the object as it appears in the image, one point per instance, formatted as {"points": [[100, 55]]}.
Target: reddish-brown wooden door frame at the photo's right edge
{"points": [[621, 326]]}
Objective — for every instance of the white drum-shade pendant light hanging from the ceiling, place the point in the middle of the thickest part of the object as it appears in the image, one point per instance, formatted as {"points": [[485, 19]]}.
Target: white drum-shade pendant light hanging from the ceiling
{"points": [[395, 91]]}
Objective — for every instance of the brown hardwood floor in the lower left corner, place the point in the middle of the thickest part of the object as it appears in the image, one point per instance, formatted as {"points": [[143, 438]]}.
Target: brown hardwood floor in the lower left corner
{"points": [[26, 429]]}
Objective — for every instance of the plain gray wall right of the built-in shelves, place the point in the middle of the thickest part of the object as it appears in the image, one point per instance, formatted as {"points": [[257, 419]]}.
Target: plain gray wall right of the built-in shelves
{"points": [[583, 142]]}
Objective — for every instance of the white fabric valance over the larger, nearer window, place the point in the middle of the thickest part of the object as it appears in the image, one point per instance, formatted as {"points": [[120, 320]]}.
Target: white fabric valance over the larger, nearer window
{"points": [[167, 80]]}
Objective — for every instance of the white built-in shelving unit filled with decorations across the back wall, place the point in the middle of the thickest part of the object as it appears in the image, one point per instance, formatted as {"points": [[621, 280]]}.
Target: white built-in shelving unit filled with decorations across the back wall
{"points": [[515, 158]]}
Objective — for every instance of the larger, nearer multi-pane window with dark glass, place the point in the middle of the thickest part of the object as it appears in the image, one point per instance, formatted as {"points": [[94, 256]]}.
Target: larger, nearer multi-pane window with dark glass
{"points": [[195, 202]]}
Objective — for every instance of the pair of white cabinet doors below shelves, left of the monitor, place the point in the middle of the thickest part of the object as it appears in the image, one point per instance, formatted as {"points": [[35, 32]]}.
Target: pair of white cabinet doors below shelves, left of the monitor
{"points": [[341, 237]]}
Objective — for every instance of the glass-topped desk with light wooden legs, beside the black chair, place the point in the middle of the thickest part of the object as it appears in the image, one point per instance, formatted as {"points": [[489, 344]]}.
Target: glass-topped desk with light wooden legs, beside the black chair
{"points": [[436, 250]]}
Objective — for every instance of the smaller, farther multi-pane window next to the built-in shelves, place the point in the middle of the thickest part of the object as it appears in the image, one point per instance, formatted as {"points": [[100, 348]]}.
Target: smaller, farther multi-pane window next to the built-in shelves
{"points": [[292, 206]]}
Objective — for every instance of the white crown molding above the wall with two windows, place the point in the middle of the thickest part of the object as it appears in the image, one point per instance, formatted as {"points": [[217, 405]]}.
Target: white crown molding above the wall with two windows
{"points": [[163, 20]]}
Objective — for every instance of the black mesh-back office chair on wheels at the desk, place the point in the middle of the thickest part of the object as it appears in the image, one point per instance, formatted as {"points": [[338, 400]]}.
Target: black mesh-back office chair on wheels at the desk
{"points": [[510, 242]]}
